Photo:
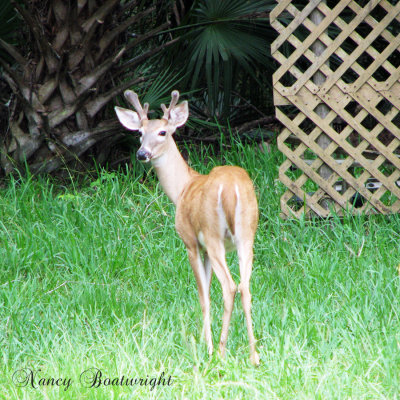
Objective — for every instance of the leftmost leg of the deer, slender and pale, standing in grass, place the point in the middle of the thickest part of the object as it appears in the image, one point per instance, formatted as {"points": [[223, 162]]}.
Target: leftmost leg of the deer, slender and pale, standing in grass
{"points": [[202, 272]]}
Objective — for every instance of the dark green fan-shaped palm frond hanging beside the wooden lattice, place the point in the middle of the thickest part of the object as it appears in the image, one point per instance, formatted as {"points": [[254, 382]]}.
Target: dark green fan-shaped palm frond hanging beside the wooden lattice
{"points": [[224, 48]]}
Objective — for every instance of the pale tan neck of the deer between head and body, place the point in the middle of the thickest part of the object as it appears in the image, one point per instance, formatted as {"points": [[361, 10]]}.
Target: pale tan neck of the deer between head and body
{"points": [[173, 172]]}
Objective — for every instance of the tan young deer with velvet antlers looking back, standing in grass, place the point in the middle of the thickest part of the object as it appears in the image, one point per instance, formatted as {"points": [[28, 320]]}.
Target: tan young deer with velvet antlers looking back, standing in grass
{"points": [[215, 213]]}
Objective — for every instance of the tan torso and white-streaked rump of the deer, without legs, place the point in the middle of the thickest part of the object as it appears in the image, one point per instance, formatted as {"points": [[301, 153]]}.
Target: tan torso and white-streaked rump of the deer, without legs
{"points": [[219, 205]]}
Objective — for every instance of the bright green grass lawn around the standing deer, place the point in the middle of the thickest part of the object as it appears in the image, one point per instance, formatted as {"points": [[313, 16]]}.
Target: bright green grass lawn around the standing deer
{"points": [[97, 277]]}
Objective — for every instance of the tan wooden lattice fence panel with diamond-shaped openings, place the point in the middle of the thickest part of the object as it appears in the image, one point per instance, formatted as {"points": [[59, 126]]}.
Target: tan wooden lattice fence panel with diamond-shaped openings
{"points": [[337, 92]]}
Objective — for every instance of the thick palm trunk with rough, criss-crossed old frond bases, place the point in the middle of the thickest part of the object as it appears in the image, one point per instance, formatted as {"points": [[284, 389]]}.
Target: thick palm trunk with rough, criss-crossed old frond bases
{"points": [[74, 57]]}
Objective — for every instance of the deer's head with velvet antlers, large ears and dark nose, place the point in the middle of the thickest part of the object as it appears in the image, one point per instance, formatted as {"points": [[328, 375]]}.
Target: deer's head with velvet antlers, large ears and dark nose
{"points": [[157, 133]]}
